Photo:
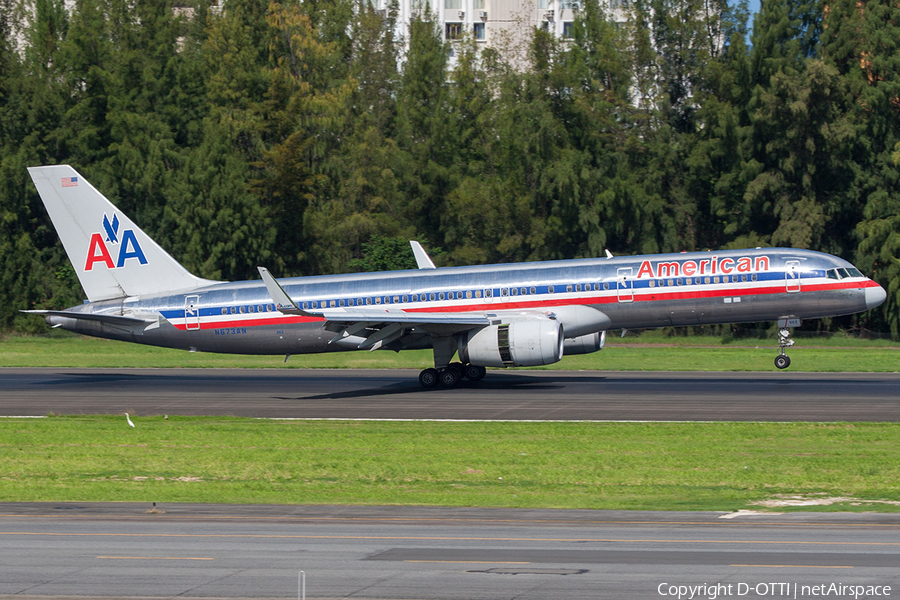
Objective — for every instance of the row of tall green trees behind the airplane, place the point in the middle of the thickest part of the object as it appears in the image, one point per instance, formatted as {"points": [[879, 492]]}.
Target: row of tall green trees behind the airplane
{"points": [[304, 136]]}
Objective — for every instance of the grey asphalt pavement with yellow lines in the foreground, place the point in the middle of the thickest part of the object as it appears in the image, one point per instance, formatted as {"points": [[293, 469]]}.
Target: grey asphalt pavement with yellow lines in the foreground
{"points": [[220, 551]]}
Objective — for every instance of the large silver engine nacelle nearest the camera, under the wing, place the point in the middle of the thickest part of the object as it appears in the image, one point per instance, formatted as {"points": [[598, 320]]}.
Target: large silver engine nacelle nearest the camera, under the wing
{"points": [[529, 343]]}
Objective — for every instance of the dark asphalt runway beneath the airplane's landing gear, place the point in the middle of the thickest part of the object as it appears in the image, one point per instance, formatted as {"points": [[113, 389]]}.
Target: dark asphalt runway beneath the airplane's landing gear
{"points": [[503, 395]]}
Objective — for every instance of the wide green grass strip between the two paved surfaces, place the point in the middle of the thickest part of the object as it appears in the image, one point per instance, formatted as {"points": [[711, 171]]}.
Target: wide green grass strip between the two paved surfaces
{"points": [[659, 466]]}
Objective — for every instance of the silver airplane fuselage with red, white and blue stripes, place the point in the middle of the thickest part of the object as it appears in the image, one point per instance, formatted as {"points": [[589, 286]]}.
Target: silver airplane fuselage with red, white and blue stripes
{"points": [[635, 292]]}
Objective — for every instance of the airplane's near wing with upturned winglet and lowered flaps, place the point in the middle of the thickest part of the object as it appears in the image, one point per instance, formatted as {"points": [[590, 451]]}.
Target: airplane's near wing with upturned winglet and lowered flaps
{"points": [[372, 328]]}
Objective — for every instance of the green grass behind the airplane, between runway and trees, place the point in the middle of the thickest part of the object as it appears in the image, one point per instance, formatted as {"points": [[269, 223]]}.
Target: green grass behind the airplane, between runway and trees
{"points": [[647, 352]]}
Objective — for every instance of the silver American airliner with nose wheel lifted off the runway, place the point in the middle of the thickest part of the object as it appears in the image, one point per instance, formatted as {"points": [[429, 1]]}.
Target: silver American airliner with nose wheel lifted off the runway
{"points": [[504, 315]]}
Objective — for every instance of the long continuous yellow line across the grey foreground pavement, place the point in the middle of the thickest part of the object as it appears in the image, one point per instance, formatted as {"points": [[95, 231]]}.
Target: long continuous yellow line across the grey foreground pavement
{"points": [[445, 538]]}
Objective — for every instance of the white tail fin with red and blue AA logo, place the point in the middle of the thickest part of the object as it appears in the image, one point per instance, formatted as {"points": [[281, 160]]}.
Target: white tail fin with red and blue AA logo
{"points": [[110, 254]]}
